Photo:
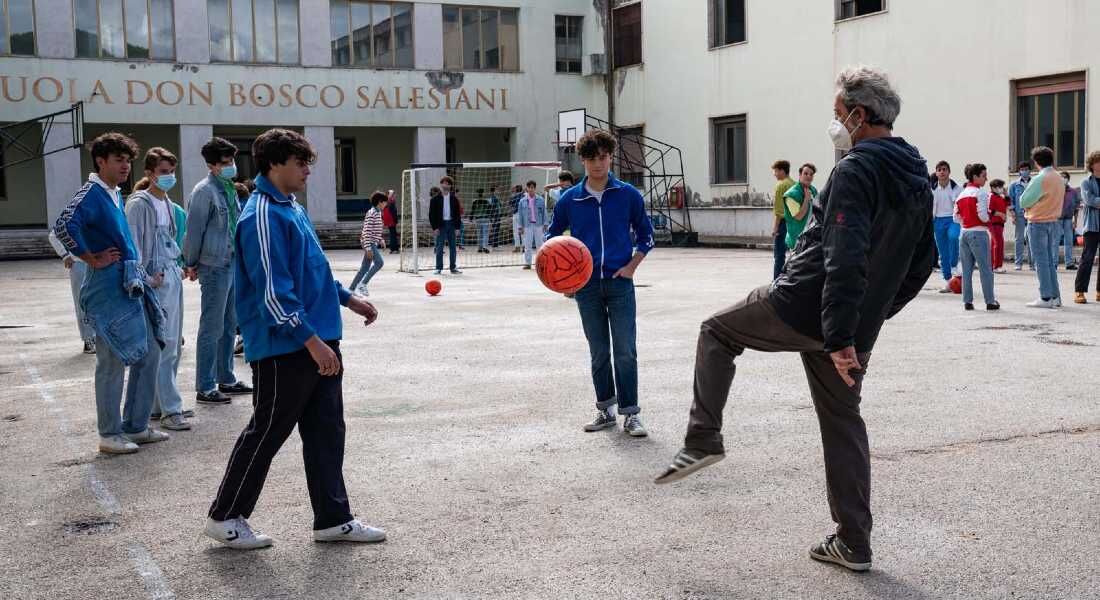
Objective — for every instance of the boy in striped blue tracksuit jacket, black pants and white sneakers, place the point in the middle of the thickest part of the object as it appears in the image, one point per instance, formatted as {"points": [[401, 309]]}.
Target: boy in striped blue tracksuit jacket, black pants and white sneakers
{"points": [[289, 304]]}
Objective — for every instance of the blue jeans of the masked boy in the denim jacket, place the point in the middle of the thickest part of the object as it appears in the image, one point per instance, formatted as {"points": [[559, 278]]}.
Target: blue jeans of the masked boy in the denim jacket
{"points": [[214, 350]]}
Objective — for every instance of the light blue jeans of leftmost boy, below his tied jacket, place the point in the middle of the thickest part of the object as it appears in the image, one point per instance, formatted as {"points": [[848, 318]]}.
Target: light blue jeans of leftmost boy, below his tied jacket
{"points": [[141, 389]]}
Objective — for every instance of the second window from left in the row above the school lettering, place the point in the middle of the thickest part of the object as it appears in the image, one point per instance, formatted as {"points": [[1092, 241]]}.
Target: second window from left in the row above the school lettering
{"points": [[125, 29]]}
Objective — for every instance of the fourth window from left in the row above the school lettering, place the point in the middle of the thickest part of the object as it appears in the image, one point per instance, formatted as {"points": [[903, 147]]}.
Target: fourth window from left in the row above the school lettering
{"points": [[371, 35]]}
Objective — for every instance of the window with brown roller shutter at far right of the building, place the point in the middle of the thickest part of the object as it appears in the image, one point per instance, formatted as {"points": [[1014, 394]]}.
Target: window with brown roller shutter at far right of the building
{"points": [[1051, 112]]}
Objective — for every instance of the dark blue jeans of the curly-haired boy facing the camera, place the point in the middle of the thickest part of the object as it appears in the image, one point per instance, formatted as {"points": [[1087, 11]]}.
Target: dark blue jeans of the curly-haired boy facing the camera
{"points": [[609, 314]]}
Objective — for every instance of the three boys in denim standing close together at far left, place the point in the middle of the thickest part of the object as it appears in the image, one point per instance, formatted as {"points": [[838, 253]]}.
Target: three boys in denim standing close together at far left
{"points": [[155, 246]]}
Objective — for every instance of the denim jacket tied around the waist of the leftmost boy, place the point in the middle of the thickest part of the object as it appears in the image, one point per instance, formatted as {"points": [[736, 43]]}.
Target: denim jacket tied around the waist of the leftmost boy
{"points": [[116, 301]]}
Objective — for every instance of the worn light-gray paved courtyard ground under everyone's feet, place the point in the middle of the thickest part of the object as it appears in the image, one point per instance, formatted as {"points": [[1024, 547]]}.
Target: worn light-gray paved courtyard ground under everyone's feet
{"points": [[465, 442]]}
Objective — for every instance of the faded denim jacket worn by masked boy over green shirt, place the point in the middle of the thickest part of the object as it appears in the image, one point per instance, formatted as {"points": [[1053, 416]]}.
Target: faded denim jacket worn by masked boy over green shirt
{"points": [[207, 241]]}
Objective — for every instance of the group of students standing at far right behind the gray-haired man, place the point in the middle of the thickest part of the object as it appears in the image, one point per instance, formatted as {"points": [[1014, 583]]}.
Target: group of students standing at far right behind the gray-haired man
{"points": [[1047, 211]]}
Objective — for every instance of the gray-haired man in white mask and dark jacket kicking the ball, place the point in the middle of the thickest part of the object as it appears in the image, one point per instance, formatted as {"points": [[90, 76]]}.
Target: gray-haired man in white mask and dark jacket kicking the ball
{"points": [[867, 253]]}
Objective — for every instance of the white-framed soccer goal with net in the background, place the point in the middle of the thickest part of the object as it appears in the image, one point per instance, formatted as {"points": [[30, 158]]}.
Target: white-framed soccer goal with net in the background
{"points": [[486, 193]]}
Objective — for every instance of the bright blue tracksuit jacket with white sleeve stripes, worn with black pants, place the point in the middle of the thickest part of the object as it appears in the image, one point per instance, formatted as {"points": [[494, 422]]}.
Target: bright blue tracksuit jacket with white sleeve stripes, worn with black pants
{"points": [[284, 289]]}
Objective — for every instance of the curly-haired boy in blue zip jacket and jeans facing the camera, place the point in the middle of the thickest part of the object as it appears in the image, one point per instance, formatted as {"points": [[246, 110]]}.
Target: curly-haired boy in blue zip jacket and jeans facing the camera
{"points": [[610, 217]]}
